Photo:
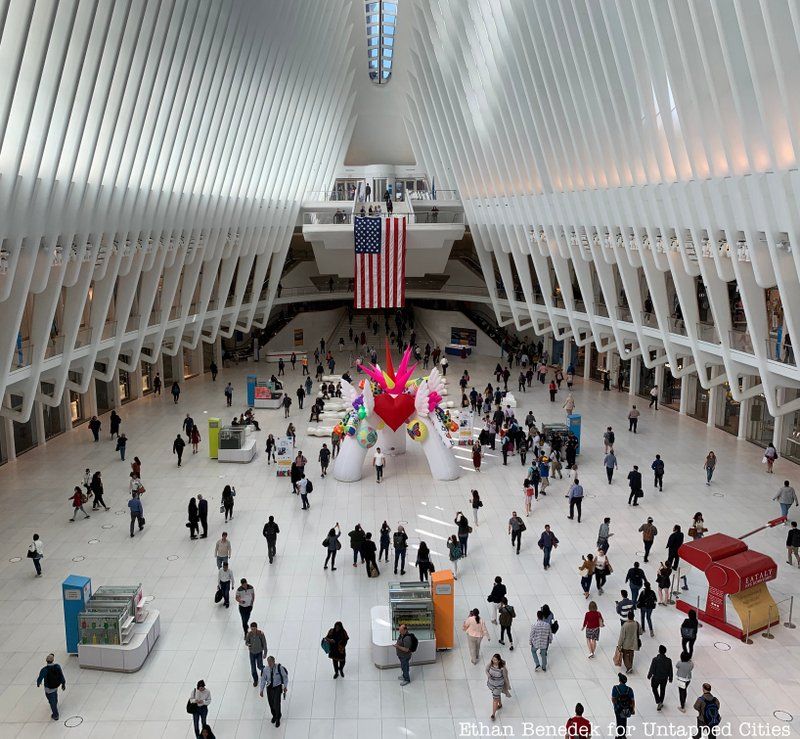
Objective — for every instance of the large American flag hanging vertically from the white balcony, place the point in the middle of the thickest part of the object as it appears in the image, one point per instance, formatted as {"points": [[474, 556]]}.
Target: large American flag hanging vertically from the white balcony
{"points": [[380, 270]]}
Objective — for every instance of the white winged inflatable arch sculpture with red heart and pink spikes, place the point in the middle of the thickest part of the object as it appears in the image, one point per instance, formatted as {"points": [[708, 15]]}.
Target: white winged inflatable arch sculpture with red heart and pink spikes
{"points": [[387, 408]]}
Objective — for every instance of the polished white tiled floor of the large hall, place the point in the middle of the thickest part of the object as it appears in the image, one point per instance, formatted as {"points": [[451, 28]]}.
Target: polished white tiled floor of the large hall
{"points": [[297, 601]]}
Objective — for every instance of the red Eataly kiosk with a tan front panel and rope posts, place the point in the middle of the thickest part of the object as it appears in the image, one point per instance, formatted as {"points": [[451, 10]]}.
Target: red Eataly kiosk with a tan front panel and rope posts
{"points": [[734, 570]]}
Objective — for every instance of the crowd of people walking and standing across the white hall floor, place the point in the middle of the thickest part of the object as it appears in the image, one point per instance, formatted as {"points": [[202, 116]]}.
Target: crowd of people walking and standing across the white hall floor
{"points": [[545, 456]]}
